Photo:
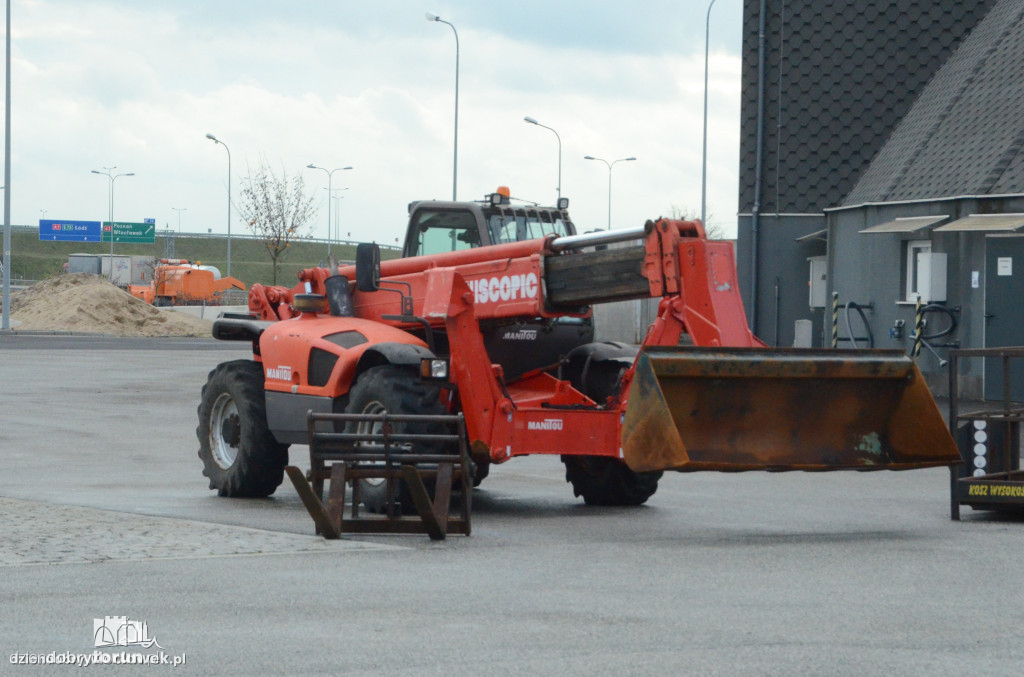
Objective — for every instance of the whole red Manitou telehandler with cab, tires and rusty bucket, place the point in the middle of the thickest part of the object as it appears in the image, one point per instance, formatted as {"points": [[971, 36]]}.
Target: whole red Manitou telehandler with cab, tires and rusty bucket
{"points": [[488, 315]]}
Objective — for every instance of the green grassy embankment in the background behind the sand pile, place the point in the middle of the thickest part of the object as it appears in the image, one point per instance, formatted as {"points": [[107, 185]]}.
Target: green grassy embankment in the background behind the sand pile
{"points": [[35, 260]]}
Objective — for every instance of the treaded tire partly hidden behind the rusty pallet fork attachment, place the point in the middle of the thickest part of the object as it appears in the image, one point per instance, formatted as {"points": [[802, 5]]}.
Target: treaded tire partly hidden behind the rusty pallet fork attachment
{"points": [[396, 391]]}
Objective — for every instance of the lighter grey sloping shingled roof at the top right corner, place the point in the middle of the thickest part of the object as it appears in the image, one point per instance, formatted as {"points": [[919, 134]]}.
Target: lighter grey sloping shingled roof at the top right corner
{"points": [[965, 134]]}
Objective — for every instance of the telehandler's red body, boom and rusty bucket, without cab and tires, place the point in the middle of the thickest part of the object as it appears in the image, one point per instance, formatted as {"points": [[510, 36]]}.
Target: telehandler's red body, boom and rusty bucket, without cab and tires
{"points": [[433, 308]]}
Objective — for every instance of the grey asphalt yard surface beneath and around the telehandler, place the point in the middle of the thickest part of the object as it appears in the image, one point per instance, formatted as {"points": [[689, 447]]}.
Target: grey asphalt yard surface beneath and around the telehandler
{"points": [[107, 523]]}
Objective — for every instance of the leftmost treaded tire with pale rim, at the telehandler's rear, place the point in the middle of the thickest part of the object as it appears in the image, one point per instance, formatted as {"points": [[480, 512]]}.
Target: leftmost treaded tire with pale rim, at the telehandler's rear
{"points": [[240, 455]]}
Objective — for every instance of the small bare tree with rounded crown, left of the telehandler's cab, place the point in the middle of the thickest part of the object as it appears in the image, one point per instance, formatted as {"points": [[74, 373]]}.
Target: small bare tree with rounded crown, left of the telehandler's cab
{"points": [[277, 209]]}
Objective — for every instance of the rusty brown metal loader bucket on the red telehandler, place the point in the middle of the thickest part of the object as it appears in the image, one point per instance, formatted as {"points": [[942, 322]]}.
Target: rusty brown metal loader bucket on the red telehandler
{"points": [[753, 409]]}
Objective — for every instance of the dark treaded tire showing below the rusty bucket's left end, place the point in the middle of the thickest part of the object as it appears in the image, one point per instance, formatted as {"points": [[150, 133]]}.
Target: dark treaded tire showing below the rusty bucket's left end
{"points": [[606, 481]]}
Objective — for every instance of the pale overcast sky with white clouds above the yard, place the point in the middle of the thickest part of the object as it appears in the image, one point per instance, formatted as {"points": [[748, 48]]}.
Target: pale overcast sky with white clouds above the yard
{"points": [[138, 84]]}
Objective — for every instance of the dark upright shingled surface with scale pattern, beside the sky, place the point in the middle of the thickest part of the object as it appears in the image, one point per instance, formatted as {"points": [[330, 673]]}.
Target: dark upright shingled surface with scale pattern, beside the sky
{"points": [[839, 78]]}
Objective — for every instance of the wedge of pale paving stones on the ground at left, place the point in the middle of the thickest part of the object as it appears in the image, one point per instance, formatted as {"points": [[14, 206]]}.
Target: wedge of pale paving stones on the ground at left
{"points": [[48, 534]]}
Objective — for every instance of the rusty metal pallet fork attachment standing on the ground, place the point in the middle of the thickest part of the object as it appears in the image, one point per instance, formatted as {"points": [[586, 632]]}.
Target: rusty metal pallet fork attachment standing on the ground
{"points": [[340, 457]]}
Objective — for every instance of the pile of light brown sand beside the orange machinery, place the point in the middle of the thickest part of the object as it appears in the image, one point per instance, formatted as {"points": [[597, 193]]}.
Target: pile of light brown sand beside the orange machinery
{"points": [[83, 303]]}
